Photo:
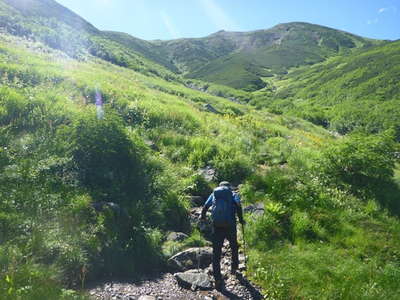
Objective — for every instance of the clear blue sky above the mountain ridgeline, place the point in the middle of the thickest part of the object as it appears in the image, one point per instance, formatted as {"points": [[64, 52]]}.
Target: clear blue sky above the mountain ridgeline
{"points": [[168, 19]]}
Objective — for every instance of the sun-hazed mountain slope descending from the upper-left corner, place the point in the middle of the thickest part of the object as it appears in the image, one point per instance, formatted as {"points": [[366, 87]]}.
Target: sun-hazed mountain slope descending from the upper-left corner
{"points": [[58, 27]]}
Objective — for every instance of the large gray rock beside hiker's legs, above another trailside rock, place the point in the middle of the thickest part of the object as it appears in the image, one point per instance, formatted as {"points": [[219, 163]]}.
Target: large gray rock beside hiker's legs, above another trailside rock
{"points": [[191, 258]]}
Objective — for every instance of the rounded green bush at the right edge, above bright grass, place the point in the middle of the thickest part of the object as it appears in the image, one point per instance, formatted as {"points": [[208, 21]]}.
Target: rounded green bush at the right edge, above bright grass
{"points": [[361, 163]]}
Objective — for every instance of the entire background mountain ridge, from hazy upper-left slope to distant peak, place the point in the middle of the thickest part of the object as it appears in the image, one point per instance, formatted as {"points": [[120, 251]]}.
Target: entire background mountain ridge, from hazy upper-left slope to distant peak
{"points": [[236, 59]]}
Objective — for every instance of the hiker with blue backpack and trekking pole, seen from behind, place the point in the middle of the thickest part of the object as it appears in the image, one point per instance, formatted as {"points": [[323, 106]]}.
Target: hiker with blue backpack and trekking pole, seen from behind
{"points": [[225, 205]]}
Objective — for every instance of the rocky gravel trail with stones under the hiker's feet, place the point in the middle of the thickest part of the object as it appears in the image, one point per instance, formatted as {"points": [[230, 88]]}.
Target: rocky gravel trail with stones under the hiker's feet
{"points": [[191, 278]]}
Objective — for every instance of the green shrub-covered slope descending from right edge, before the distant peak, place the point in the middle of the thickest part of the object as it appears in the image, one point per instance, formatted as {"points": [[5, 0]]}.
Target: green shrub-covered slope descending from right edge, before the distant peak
{"points": [[344, 93]]}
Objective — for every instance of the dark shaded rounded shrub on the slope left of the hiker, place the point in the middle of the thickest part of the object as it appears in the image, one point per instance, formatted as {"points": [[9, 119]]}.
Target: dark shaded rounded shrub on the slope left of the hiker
{"points": [[107, 162]]}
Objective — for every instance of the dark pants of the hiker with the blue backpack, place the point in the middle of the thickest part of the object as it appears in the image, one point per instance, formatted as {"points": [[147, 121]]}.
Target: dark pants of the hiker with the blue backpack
{"points": [[219, 235]]}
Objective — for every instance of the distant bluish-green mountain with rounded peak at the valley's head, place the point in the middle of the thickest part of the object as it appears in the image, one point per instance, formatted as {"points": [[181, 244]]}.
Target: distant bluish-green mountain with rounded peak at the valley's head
{"points": [[241, 59]]}
